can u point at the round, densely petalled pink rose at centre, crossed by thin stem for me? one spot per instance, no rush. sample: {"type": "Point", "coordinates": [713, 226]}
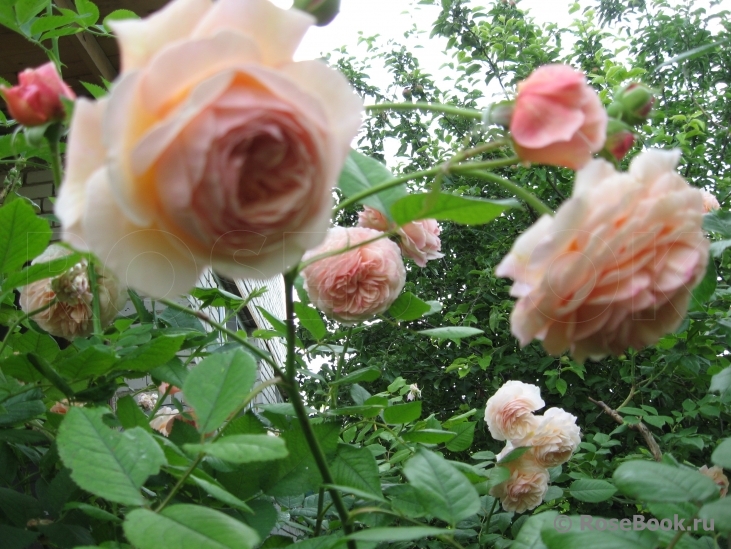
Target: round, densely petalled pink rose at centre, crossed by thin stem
{"type": "Point", "coordinates": [358, 284]}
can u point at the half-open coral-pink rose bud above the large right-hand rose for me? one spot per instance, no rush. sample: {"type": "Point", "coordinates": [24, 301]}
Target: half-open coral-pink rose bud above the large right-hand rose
{"type": "Point", "coordinates": [558, 118]}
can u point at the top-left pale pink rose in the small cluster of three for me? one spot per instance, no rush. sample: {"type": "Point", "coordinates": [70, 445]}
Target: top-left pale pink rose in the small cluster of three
{"type": "Point", "coordinates": [509, 412]}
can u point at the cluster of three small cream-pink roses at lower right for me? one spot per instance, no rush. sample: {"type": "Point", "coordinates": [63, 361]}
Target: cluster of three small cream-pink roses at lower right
{"type": "Point", "coordinates": [552, 438]}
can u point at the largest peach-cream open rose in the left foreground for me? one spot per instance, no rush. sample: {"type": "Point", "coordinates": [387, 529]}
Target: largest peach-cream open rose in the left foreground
{"type": "Point", "coordinates": [213, 147]}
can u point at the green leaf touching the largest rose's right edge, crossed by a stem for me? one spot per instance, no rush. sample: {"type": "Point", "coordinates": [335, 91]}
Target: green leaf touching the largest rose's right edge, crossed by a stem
{"type": "Point", "coordinates": [361, 173]}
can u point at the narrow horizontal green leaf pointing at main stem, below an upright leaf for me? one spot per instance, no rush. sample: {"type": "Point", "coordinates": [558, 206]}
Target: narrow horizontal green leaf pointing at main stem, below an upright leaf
{"type": "Point", "coordinates": [243, 448]}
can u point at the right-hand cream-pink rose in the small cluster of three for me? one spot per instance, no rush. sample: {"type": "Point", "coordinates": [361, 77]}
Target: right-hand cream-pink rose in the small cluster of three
{"type": "Point", "coordinates": [554, 439]}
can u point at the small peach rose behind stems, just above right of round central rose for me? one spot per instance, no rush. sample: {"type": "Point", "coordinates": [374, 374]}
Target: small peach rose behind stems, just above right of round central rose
{"type": "Point", "coordinates": [419, 240]}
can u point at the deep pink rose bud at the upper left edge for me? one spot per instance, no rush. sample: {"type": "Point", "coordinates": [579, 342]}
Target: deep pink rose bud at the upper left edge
{"type": "Point", "coordinates": [37, 98]}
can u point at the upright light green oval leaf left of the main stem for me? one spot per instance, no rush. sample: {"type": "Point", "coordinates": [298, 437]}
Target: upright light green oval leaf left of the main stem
{"type": "Point", "coordinates": [217, 386]}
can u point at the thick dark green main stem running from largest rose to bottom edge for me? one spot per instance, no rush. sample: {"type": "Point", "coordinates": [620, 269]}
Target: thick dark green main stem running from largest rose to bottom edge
{"type": "Point", "coordinates": [299, 408]}
